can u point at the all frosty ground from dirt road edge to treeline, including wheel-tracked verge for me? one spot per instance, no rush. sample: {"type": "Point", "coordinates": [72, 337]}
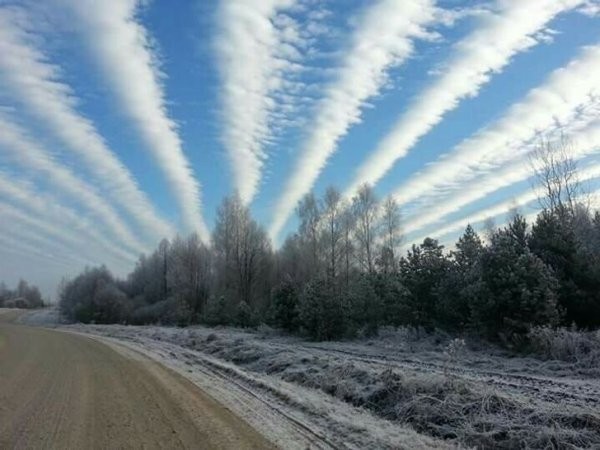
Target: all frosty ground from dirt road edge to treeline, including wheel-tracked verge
{"type": "Point", "coordinates": [403, 389]}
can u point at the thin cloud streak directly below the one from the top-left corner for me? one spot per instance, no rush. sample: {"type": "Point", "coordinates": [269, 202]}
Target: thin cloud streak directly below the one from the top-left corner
{"type": "Point", "coordinates": [22, 150]}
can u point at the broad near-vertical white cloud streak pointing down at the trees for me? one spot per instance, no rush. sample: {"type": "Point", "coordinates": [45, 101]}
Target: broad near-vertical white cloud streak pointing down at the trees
{"type": "Point", "coordinates": [254, 57]}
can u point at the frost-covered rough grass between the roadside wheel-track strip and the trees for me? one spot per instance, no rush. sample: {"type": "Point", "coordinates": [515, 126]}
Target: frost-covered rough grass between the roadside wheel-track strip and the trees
{"type": "Point", "coordinates": [465, 394]}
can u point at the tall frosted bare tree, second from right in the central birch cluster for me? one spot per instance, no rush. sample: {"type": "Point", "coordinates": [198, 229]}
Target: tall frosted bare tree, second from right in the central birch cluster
{"type": "Point", "coordinates": [365, 207]}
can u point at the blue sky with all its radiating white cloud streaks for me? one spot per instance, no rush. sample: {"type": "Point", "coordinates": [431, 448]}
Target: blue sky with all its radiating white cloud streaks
{"type": "Point", "coordinates": [126, 121]}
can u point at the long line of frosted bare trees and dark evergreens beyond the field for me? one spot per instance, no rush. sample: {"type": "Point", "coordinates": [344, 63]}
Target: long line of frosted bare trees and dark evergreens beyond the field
{"type": "Point", "coordinates": [340, 274]}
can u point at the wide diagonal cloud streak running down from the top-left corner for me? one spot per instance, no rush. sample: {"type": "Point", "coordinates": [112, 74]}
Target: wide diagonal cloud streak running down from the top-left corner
{"type": "Point", "coordinates": [27, 75]}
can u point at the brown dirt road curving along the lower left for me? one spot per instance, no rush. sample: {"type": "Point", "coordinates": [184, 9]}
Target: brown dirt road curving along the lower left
{"type": "Point", "coordinates": [60, 390]}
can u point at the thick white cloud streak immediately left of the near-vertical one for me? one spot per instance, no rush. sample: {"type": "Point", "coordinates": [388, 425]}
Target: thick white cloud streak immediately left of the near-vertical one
{"type": "Point", "coordinates": [122, 49]}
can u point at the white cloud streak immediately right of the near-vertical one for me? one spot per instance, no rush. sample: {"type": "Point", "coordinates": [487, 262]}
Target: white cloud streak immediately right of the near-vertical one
{"type": "Point", "coordinates": [384, 38]}
